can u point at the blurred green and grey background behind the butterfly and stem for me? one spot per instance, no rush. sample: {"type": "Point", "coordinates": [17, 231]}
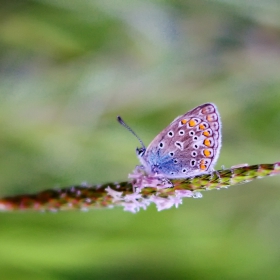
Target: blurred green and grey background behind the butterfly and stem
{"type": "Point", "coordinates": [68, 68]}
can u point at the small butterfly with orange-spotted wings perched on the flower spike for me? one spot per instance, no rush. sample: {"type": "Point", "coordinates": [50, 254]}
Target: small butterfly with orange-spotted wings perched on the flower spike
{"type": "Point", "coordinates": [188, 146]}
